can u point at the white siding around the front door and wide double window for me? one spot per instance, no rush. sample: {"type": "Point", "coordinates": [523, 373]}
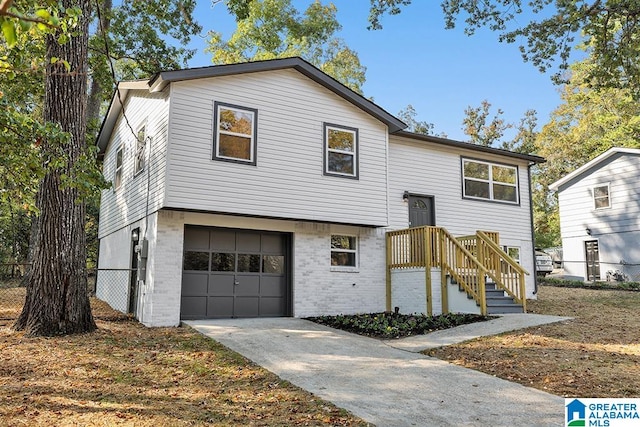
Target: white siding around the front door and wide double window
{"type": "Point", "coordinates": [434, 170]}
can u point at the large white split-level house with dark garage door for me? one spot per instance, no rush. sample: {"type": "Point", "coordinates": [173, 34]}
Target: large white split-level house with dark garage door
{"type": "Point", "coordinates": [266, 189]}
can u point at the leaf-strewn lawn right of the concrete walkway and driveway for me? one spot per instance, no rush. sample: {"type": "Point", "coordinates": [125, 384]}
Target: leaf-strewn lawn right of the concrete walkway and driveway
{"type": "Point", "coordinates": [595, 355]}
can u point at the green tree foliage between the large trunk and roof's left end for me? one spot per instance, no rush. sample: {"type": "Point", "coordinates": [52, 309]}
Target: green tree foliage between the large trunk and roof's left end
{"type": "Point", "coordinates": [137, 39]}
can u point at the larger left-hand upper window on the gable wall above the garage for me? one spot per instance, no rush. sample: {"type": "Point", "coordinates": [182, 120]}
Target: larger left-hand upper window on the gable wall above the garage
{"type": "Point", "coordinates": [235, 133]}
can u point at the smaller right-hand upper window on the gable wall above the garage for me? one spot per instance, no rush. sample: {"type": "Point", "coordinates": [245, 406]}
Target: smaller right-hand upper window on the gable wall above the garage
{"type": "Point", "coordinates": [340, 151]}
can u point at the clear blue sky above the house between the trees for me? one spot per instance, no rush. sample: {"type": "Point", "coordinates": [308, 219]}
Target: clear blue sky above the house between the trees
{"type": "Point", "coordinates": [414, 60]}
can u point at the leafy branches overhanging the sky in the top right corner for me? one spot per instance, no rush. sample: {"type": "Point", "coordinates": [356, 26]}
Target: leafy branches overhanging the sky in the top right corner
{"type": "Point", "coordinates": [608, 29]}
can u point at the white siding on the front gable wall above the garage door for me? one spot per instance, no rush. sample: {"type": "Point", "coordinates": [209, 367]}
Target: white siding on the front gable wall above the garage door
{"type": "Point", "coordinates": [288, 181]}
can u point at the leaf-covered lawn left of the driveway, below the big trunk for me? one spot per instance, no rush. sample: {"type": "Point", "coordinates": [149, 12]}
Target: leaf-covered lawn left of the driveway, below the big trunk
{"type": "Point", "coordinates": [126, 374]}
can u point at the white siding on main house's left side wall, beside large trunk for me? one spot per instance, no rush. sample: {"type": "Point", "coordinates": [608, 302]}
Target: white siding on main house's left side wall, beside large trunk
{"type": "Point", "coordinates": [129, 204]}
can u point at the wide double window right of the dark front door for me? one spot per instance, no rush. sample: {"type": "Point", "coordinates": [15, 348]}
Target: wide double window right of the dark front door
{"type": "Point", "coordinates": [489, 181]}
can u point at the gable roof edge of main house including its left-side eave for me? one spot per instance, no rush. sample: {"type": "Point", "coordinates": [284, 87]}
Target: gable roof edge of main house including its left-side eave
{"type": "Point", "coordinates": [160, 80]}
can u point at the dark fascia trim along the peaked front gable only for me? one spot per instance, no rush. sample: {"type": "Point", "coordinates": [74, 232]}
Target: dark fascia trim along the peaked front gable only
{"type": "Point", "coordinates": [160, 80]}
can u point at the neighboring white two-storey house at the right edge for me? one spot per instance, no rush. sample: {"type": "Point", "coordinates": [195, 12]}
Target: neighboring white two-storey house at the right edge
{"type": "Point", "coordinates": [600, 214]}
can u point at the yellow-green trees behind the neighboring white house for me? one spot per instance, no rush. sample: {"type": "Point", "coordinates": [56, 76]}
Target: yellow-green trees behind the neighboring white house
{"type": "Point", "coordinates": [586, 124]}
